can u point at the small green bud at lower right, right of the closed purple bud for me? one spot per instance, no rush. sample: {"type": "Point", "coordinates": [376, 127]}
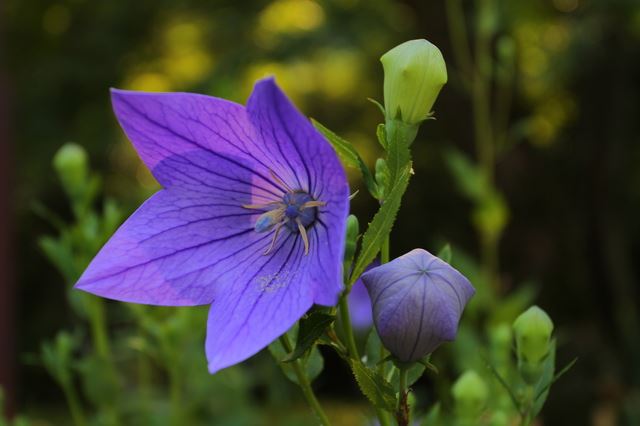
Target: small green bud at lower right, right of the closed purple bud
{"type": "Point", "coordinates": [532, 330]}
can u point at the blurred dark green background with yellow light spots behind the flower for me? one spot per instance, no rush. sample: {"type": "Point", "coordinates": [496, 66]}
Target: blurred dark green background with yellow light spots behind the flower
{"type": "Point", "coordinates": [542, 203]}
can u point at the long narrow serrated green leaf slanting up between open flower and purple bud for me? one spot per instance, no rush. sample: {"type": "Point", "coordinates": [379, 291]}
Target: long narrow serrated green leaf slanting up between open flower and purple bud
{"type": "Point", "coordinates": [381, 225]}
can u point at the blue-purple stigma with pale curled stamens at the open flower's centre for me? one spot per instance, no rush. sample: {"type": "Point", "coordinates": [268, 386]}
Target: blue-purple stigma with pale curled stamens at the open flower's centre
{"type": "Point", "coordinates": [297, 211]}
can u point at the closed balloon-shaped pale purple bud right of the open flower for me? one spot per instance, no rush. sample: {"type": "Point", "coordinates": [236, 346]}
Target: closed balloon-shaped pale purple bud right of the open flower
{"type": "Point", "coordinates": [417, 303]}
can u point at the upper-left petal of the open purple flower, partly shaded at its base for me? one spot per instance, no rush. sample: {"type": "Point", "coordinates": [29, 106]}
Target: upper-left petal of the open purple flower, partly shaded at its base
{"type": "Point", "coordinates": [174, 126]}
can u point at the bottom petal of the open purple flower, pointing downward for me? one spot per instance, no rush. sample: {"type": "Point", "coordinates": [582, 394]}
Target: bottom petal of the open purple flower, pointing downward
{"type": "Point", "coordinates": [250, 314]}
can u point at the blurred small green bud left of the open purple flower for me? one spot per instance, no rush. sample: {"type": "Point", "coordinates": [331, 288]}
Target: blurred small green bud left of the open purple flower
{"type": "Point", "coordinates": [71, 164]}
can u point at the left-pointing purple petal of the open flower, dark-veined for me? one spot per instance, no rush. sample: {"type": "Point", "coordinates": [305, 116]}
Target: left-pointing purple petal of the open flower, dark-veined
{"type": "Point", "coordinates": [174, 250]}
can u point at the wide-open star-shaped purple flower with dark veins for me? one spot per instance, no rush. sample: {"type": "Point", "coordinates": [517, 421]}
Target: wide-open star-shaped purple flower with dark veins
{"type": "Point", "coordinates": [251, 219]}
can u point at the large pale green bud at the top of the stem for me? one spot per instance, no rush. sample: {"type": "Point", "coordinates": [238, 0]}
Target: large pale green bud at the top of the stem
{"type": "Point", "coordinates": [414, 73]}
